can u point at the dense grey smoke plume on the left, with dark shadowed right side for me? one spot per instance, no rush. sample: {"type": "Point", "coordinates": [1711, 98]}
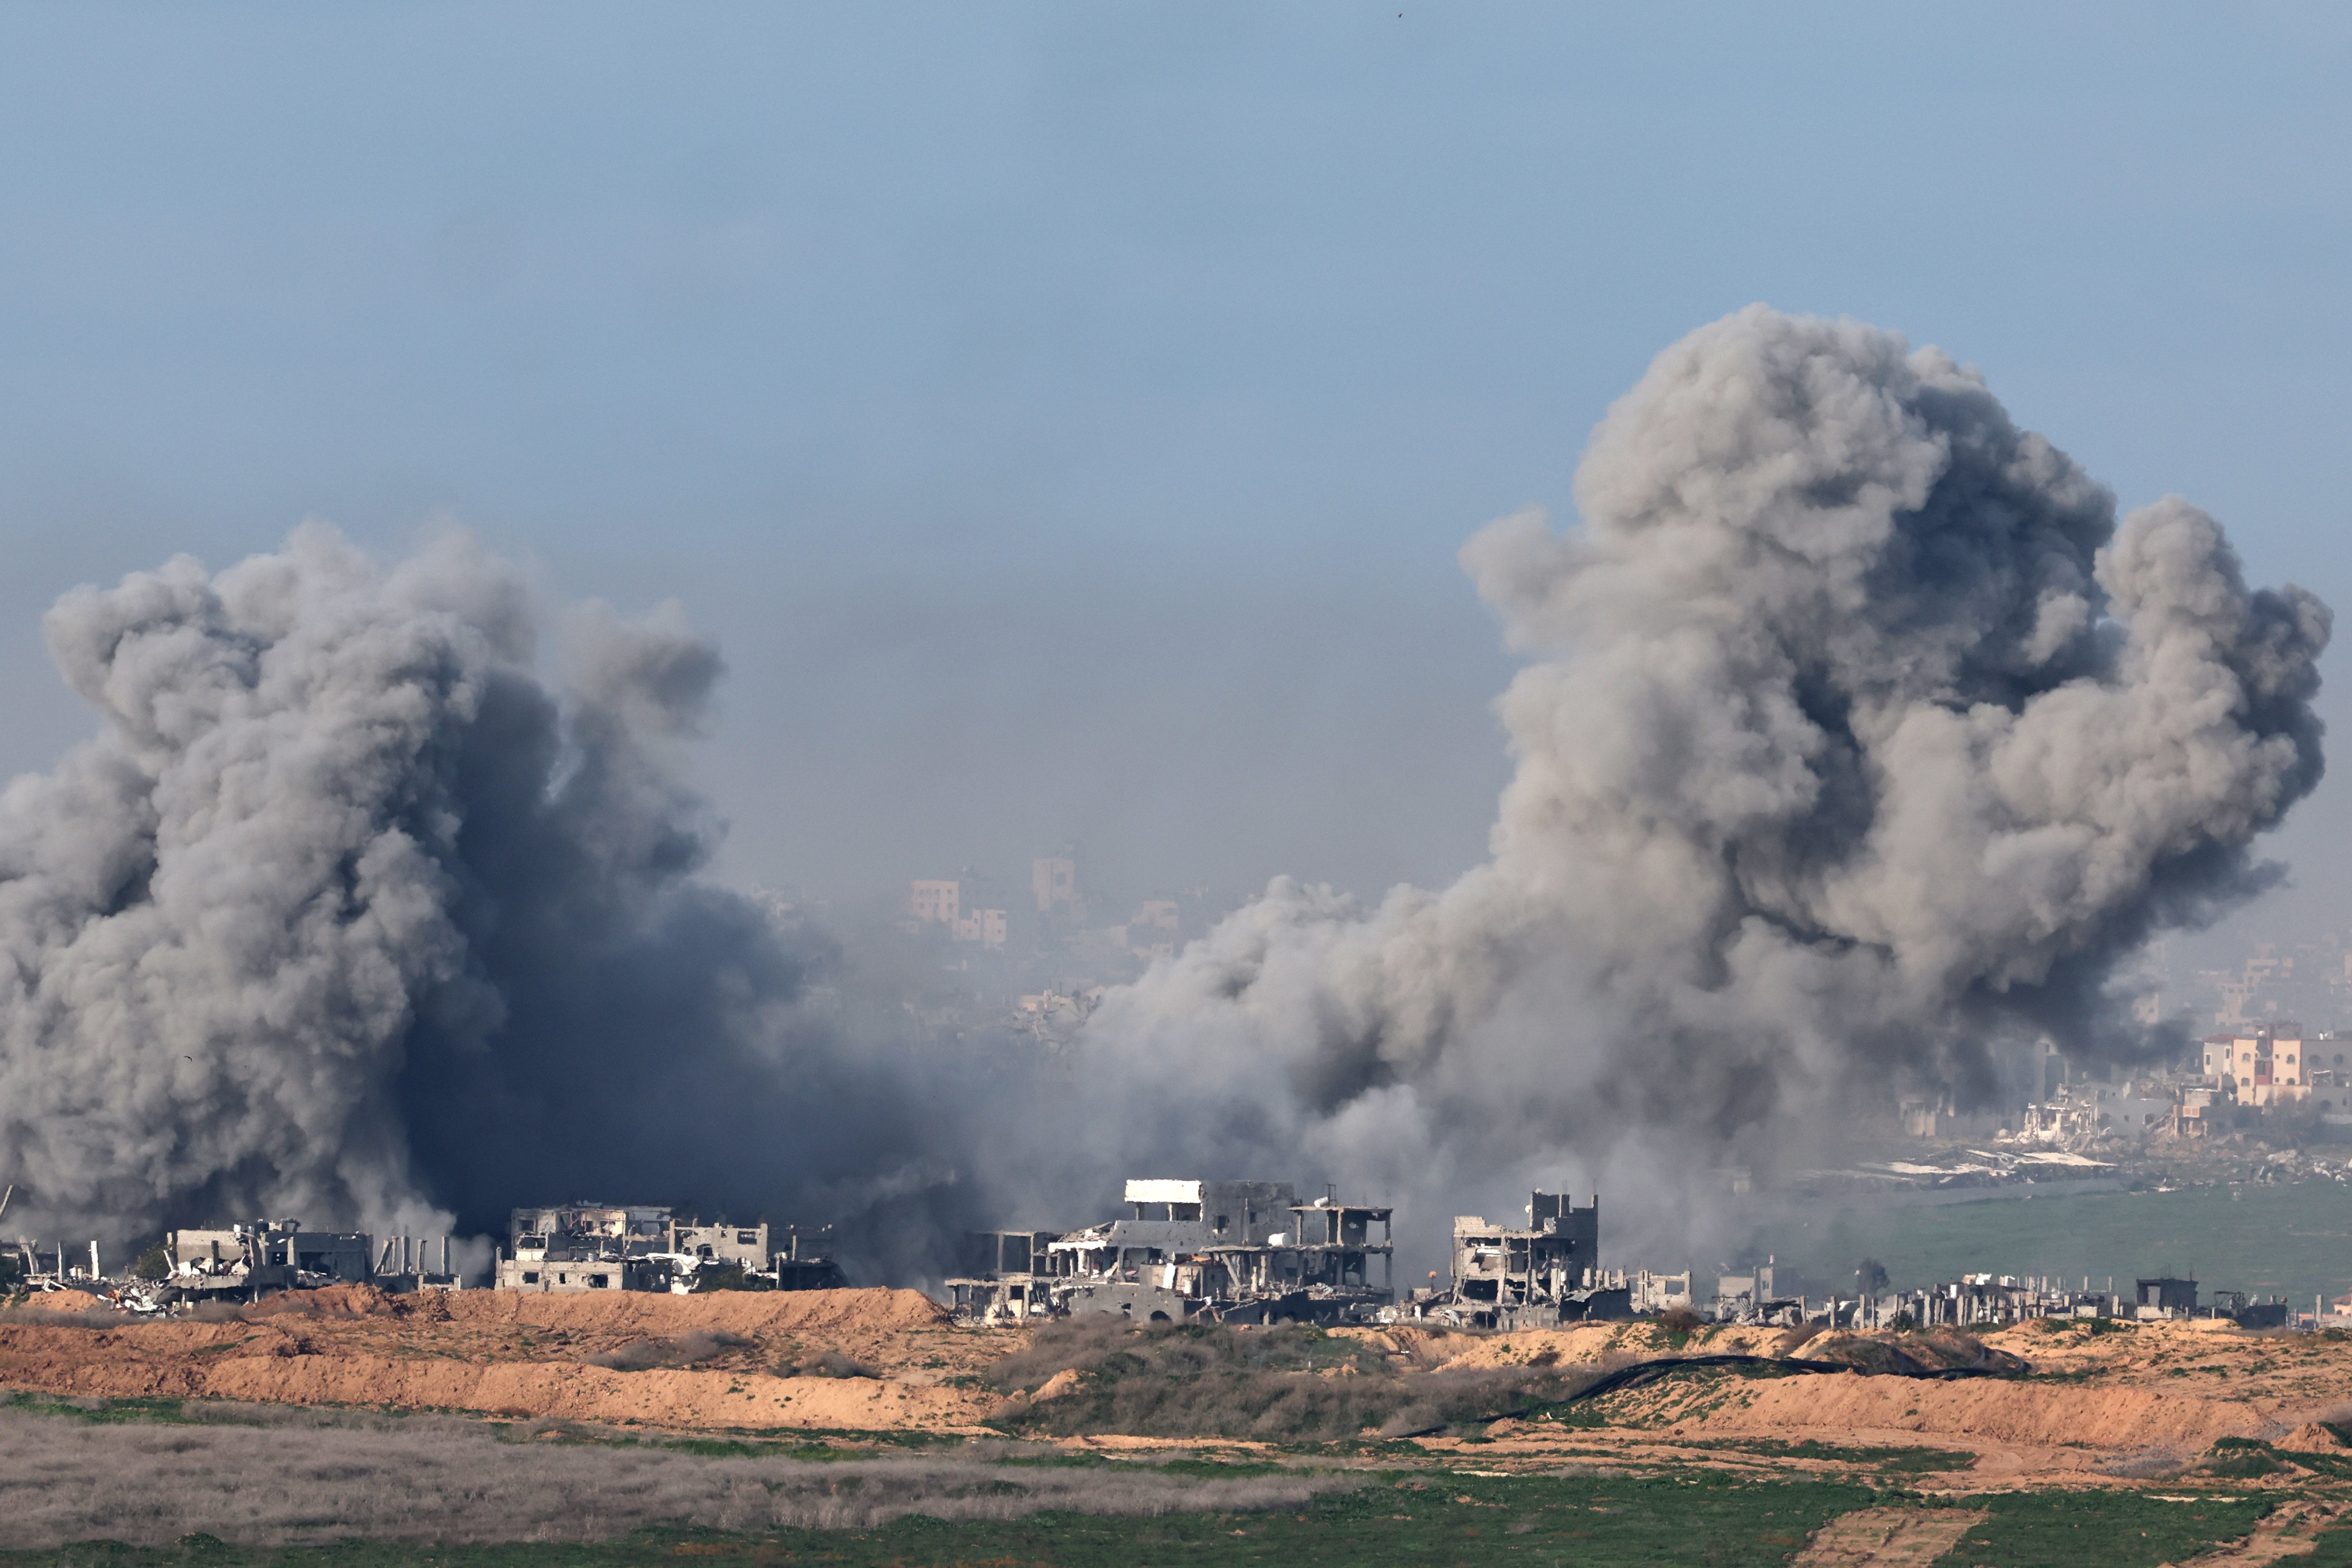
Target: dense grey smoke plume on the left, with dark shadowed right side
{"type": "Point", "coordinates": [349, 916]}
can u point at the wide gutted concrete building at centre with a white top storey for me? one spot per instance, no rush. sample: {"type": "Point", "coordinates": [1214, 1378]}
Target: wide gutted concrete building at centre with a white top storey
{"type": "Point", "coordinates": [1227, 1249]}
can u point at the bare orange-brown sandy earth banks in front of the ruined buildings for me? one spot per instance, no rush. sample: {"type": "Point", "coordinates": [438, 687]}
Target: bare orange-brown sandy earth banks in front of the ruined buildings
{"type": "Point", "coordinates": [2097, 1398]}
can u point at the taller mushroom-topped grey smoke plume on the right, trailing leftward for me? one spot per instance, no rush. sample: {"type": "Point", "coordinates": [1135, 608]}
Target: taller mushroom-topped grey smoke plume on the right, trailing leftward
{"type": "Point", "coordinates": [1857, 742]}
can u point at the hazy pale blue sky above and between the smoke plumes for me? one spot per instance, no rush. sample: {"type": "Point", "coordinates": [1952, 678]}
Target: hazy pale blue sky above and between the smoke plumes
{"type": "Point", "coordinates": [1067, 417]}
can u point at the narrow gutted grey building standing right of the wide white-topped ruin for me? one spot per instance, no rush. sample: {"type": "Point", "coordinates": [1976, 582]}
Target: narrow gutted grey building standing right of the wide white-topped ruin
{"type": "Point", "coordinates": [1532, 1278]}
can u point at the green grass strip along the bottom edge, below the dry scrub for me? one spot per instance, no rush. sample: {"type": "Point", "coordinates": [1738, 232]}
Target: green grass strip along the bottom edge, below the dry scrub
{"type": "Point", "coordinates": [1410, 1517]}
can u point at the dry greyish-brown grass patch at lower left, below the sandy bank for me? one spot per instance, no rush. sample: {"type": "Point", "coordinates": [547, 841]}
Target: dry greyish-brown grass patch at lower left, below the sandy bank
{"type": "Point", "coordinates": [272, 1477]}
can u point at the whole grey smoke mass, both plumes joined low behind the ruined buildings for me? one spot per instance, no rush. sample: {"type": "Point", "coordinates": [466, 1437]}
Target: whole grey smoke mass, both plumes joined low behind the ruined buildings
{"type": "Point", "coordinates": [1857, 742]}
